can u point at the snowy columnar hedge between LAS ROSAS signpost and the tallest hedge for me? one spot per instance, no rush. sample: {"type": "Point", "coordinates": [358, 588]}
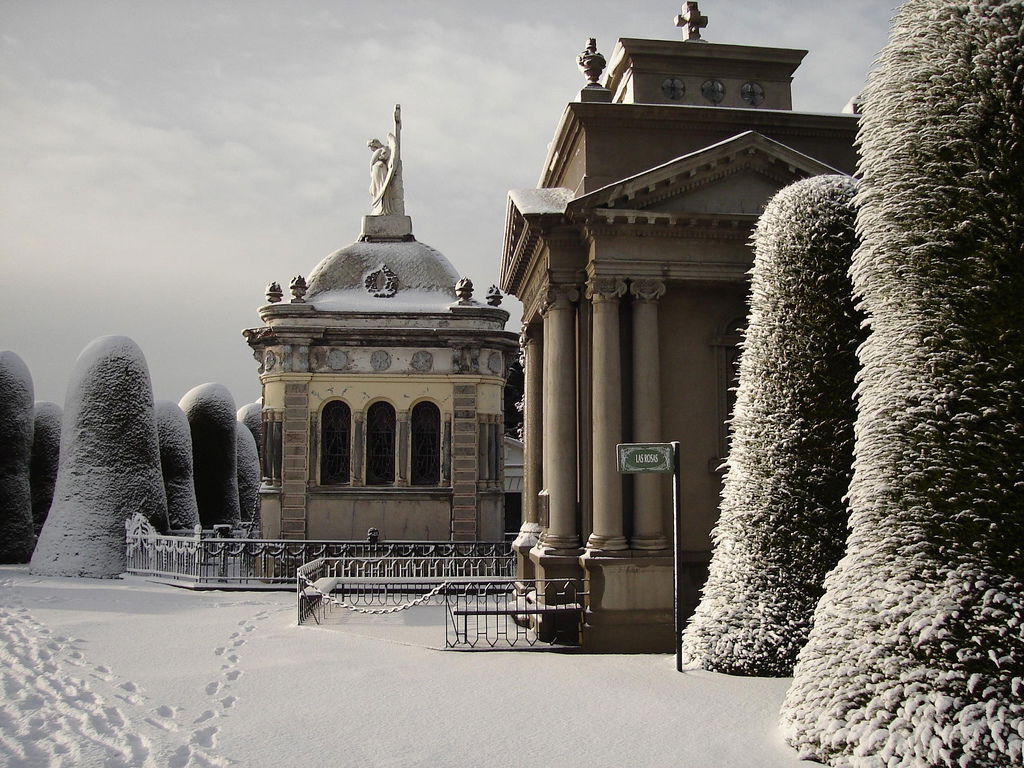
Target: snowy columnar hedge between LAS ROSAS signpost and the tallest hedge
{"type": "Point", "coordinates": [783, 524]}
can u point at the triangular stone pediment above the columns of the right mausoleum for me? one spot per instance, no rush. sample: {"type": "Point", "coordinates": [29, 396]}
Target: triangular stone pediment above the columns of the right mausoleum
{"type": "Point", "coordinates": [737, 177]}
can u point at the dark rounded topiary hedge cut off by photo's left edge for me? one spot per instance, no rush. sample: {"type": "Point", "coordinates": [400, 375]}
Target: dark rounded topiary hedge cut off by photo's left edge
{"type": "Point", "coordinates": [17, 395]}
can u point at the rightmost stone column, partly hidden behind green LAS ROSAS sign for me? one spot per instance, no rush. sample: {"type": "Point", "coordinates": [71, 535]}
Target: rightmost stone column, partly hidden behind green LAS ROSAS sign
{"type": "Point", "coordinates": [649, 493]}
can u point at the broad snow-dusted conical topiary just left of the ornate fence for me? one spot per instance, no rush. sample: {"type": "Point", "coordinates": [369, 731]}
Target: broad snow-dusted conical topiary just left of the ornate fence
{"type": "Point", "coordinates": [110, 464]}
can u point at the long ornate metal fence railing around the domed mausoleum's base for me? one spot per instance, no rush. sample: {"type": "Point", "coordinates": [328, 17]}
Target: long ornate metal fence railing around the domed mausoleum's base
{"type": "Point", "coordinates": [250, 564]}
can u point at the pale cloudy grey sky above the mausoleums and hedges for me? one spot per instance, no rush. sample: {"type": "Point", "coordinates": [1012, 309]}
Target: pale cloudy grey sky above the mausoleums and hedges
{"type": "Point", "coordinates": [162, 162]}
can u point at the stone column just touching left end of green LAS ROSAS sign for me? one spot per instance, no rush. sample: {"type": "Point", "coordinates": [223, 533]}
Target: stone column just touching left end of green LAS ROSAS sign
{"type": "Point", "coordinates": [608, 418]}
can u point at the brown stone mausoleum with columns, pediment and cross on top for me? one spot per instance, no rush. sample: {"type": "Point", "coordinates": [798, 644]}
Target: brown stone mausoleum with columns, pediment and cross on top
{"type": "Point", "coordinates": [631, 259]}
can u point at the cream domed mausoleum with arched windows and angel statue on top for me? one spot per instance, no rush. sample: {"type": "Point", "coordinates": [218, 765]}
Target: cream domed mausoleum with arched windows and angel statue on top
{"type": "Point", "coordinates": [382, 383]}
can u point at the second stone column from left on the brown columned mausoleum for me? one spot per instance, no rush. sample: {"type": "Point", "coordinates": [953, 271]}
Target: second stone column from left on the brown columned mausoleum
{"type": "Point", "coordinates": [560, 419]}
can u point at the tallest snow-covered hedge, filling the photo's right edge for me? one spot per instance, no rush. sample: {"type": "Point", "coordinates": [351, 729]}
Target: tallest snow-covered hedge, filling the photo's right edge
{"type": "Point", "coordinates": [917, 656]}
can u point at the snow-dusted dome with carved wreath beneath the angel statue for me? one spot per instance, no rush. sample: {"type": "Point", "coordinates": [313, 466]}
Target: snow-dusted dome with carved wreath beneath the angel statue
{"type": "Point", "coordinates": [382, 277]}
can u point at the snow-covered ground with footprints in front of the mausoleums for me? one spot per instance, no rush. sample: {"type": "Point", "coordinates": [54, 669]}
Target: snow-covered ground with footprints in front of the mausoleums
{"type": "Point", "coordinates": [131, 673]}
